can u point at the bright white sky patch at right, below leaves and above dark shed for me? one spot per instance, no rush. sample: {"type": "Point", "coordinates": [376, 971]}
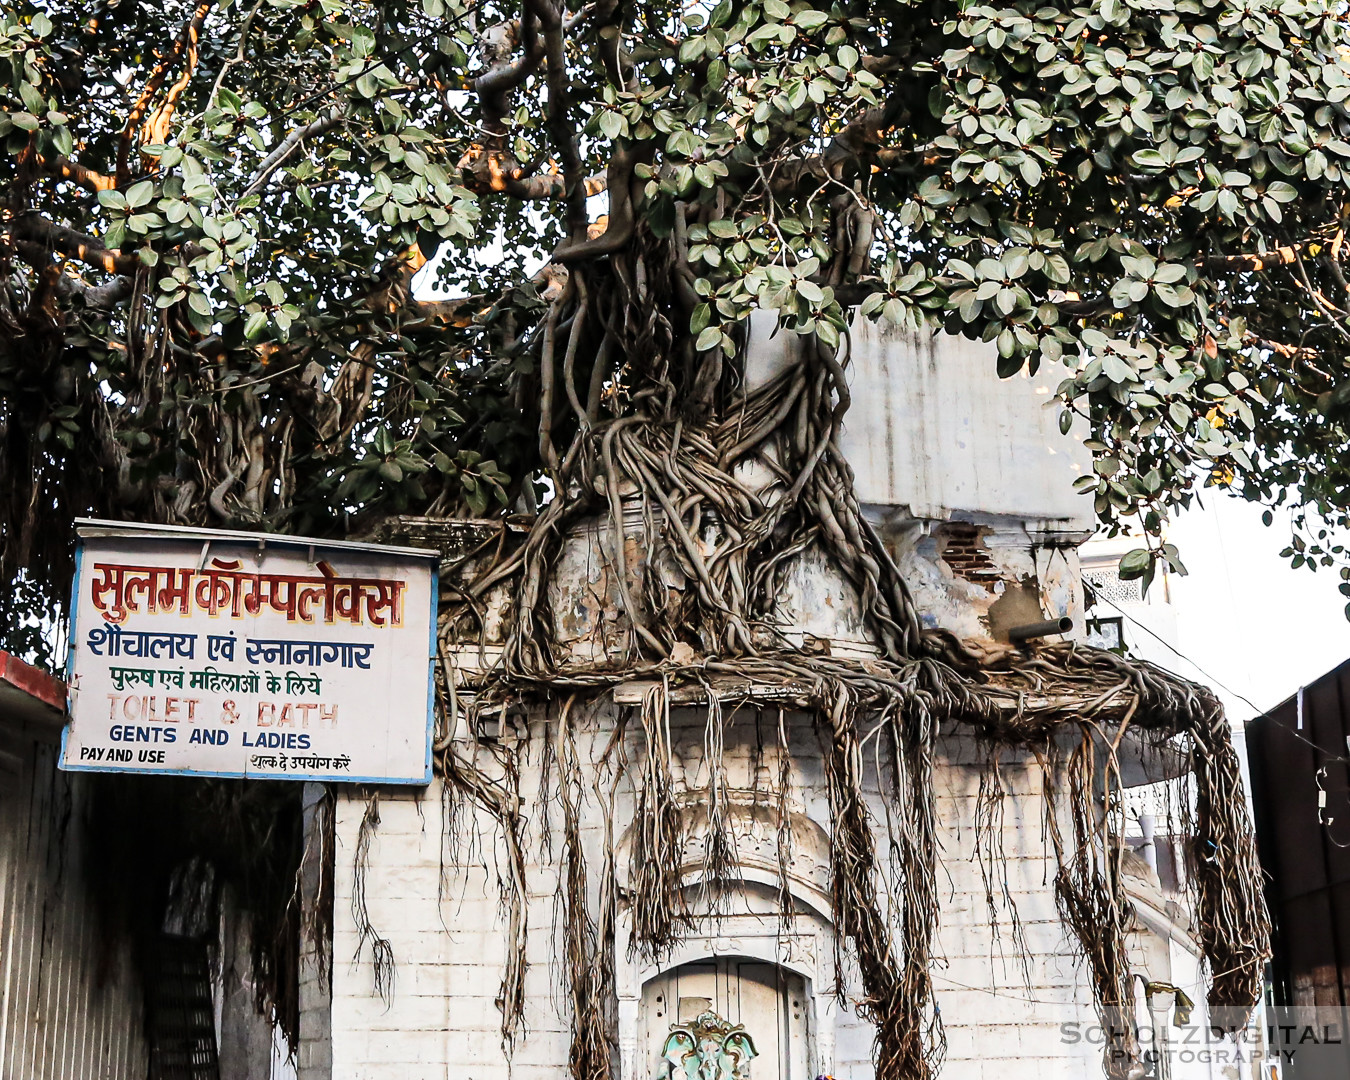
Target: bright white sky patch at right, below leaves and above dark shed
{"type": "Point", "coordinates": [1253, 626]}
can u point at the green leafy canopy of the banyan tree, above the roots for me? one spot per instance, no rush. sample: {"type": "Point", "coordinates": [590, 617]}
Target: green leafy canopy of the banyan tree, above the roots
{"type": "Point", "coordinates": [213, 214]}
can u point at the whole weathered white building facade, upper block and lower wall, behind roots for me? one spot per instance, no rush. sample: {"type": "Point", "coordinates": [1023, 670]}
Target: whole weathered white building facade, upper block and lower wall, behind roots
{"type": "Point", "coordinates": [969, 481]}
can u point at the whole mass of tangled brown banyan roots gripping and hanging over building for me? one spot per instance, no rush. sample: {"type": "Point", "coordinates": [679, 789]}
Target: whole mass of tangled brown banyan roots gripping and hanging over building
{"type": "Point", "coordinates": [704, 491]}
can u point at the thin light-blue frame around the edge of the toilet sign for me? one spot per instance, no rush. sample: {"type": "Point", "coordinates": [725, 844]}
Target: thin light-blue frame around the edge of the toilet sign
{"type": "Point", "coordinates": [97, 529]}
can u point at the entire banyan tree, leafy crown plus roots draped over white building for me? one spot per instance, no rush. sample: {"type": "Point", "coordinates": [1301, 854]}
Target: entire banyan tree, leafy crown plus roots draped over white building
{"type": "Point", "coordinates": [318, 267]}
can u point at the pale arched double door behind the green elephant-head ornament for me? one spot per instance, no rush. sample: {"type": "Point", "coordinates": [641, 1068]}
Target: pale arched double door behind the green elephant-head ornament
{"type": "Point", "coordinates": [767, 1000]}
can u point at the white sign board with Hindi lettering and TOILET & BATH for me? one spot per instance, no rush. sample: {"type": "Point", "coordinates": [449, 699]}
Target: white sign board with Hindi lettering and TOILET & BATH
{"type": "Point", "coordinates": [223, 654]}
